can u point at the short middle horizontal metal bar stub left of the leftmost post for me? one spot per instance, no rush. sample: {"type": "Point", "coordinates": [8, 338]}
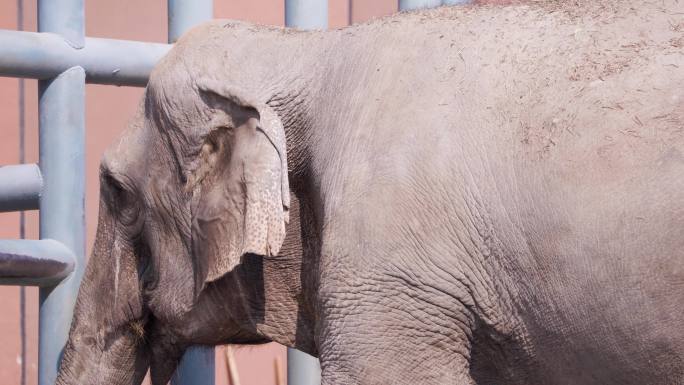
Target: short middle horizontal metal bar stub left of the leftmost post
{"type": "Point", "coordinates": [20, 187]}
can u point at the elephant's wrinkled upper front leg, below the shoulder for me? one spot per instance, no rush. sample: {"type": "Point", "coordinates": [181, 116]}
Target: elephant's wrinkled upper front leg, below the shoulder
{"type": "Point", "coordinates": [380, 334]}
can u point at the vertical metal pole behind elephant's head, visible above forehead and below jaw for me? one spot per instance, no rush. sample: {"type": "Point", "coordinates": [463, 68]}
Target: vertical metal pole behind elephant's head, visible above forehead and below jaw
{"type": "Point", "coordinates": [197, 364]}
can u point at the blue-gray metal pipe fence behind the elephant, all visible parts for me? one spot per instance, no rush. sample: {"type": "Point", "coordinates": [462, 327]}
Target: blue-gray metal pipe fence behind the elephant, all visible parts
{"type": "Point", "coordinates": [63, 59]}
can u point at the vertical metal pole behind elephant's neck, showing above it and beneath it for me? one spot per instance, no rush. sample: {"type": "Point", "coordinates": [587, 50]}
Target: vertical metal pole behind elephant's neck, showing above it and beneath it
{"type": "Point", "coordinates": [303, 369]}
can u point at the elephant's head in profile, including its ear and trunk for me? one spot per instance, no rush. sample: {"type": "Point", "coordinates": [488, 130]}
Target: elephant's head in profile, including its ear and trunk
{"type": "Point", "coordinates": [197, 181]}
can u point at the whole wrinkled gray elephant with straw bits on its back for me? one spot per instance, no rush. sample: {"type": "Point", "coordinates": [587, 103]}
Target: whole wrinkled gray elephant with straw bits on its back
{"type": "Point", "coordinates": [478, 196]}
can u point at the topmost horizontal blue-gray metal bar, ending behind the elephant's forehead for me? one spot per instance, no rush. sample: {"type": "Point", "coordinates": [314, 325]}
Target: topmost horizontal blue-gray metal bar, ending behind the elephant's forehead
{"type": "Point", "coordinates": [105, 61]}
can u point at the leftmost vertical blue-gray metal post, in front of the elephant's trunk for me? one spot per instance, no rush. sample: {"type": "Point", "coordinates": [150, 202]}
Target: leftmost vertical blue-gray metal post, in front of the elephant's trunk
{"type": "Point", "coordinates": [62, 148]}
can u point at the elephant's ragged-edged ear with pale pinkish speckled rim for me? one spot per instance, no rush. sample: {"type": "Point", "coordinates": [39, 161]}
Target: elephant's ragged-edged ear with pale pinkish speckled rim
{"type": "Point", "coordinates": [239, 183]}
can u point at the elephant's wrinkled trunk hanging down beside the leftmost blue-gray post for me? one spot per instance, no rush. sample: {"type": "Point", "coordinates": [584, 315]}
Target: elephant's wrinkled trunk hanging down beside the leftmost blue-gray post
{"type": "Point", "coordinates": [107, 338]}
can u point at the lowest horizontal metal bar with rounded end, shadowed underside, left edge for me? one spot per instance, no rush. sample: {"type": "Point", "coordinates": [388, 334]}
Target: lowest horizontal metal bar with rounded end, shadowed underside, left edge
{"type": "Point", "coordinates": [34, 263]}
